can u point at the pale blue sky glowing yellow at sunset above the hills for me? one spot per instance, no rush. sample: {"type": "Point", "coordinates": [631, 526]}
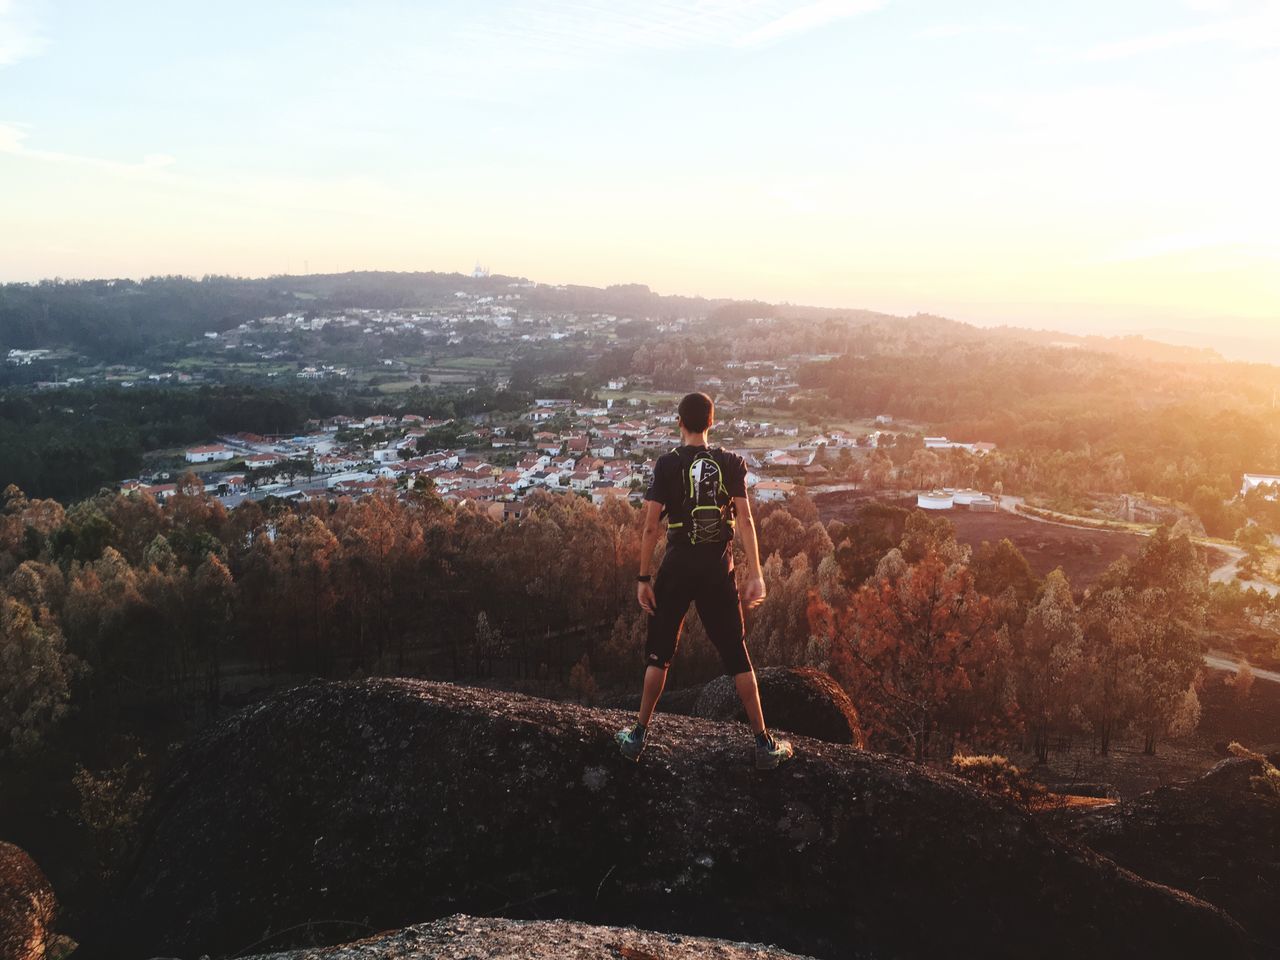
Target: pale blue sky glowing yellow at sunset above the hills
{"type": "Point", "coordinates": [1091, 167]}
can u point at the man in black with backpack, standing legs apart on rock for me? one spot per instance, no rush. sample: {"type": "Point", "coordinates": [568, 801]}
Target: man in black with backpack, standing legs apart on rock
{"type": "Point", "coordinates": [702, 493]}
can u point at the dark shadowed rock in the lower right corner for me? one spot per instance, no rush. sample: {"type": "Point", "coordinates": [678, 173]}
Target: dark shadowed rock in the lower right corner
{"type": "Point", "coordinates": [1215, 838]}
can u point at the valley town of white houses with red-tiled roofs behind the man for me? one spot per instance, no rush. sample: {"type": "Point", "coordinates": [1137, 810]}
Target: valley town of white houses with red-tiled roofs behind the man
{"type": "Point", "coordinates": [566, 449]}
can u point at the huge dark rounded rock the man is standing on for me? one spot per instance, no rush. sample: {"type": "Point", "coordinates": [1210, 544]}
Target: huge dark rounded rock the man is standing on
{"type": "Point", "coordinates": [395, 802]}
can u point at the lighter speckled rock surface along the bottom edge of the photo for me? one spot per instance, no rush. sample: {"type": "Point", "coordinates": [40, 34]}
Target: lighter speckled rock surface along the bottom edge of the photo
{"type": "Point", "coordinates": [464, 938]}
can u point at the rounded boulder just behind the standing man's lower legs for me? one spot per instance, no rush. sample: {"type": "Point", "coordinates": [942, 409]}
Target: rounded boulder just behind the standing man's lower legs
{"type": "Point", "coordinates": [799, 701]}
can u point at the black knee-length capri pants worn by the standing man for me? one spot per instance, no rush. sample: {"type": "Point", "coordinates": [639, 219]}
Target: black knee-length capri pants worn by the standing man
{"type": "Point", "coordinates": [702, 575]}
